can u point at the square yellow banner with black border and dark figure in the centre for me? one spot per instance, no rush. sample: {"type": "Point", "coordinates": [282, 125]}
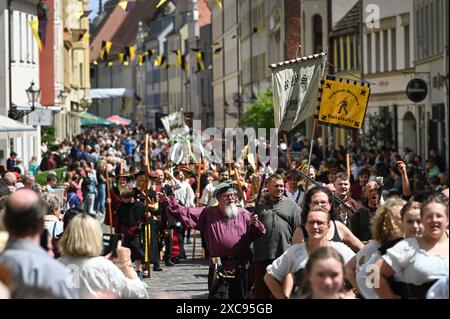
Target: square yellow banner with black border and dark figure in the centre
{"type": "Point", "coordinates": [343, 104]}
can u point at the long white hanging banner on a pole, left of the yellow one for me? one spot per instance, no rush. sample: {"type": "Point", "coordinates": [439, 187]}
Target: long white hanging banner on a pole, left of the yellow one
{"type": "Point", "coordinates": [295, 86]}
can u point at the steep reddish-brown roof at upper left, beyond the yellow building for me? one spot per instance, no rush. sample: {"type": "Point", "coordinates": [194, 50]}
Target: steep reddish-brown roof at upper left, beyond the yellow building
{"type": "Point", "coordinates": [120, 27]}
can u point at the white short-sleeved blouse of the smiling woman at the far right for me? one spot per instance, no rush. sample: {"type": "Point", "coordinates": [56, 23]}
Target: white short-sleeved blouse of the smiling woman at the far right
{"type": "Point", "coordinates": [414, 264]}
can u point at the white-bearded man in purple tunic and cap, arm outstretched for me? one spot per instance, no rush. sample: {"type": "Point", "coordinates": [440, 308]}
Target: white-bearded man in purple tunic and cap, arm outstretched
{"type": "Point", "coordinates": [228, 231]}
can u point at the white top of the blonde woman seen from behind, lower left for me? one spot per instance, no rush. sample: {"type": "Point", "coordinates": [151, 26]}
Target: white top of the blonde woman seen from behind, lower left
{"type": "Point", "coordinates": [95, 274]}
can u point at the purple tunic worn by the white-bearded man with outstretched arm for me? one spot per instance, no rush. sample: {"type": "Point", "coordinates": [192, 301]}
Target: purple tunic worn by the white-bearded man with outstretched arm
{"type": "Point", "coordinates": [224, 237]}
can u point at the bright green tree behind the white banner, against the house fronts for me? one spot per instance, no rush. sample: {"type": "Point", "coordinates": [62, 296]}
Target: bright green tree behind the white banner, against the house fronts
{"type": "Point", "coordinates": [260, 113]}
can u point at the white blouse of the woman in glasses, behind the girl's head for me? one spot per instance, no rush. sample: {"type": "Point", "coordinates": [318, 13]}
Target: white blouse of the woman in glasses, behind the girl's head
{"type": "Point", "coordinates": [296, 257]}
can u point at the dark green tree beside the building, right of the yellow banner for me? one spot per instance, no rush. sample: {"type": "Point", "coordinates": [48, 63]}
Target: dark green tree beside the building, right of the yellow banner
{"type": "Point", "coordinates": [379, 128]}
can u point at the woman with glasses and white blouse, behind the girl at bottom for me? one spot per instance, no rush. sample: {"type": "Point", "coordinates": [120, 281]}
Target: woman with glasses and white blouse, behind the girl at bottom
{"type": "Point", "coordinates": [294, 259]}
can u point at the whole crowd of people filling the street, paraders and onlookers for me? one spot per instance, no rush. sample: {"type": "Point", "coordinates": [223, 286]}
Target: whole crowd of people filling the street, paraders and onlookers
{"type": "Point", "coordinates": [375, 229]}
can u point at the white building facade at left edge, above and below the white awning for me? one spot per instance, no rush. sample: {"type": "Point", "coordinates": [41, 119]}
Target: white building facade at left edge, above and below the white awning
{"type": "Point", "coordinates": [19, 66]}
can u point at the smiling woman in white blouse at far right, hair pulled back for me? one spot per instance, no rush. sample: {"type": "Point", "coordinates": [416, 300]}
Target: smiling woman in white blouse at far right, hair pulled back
{"type": "Point", "coordinates": [419, 261]}
